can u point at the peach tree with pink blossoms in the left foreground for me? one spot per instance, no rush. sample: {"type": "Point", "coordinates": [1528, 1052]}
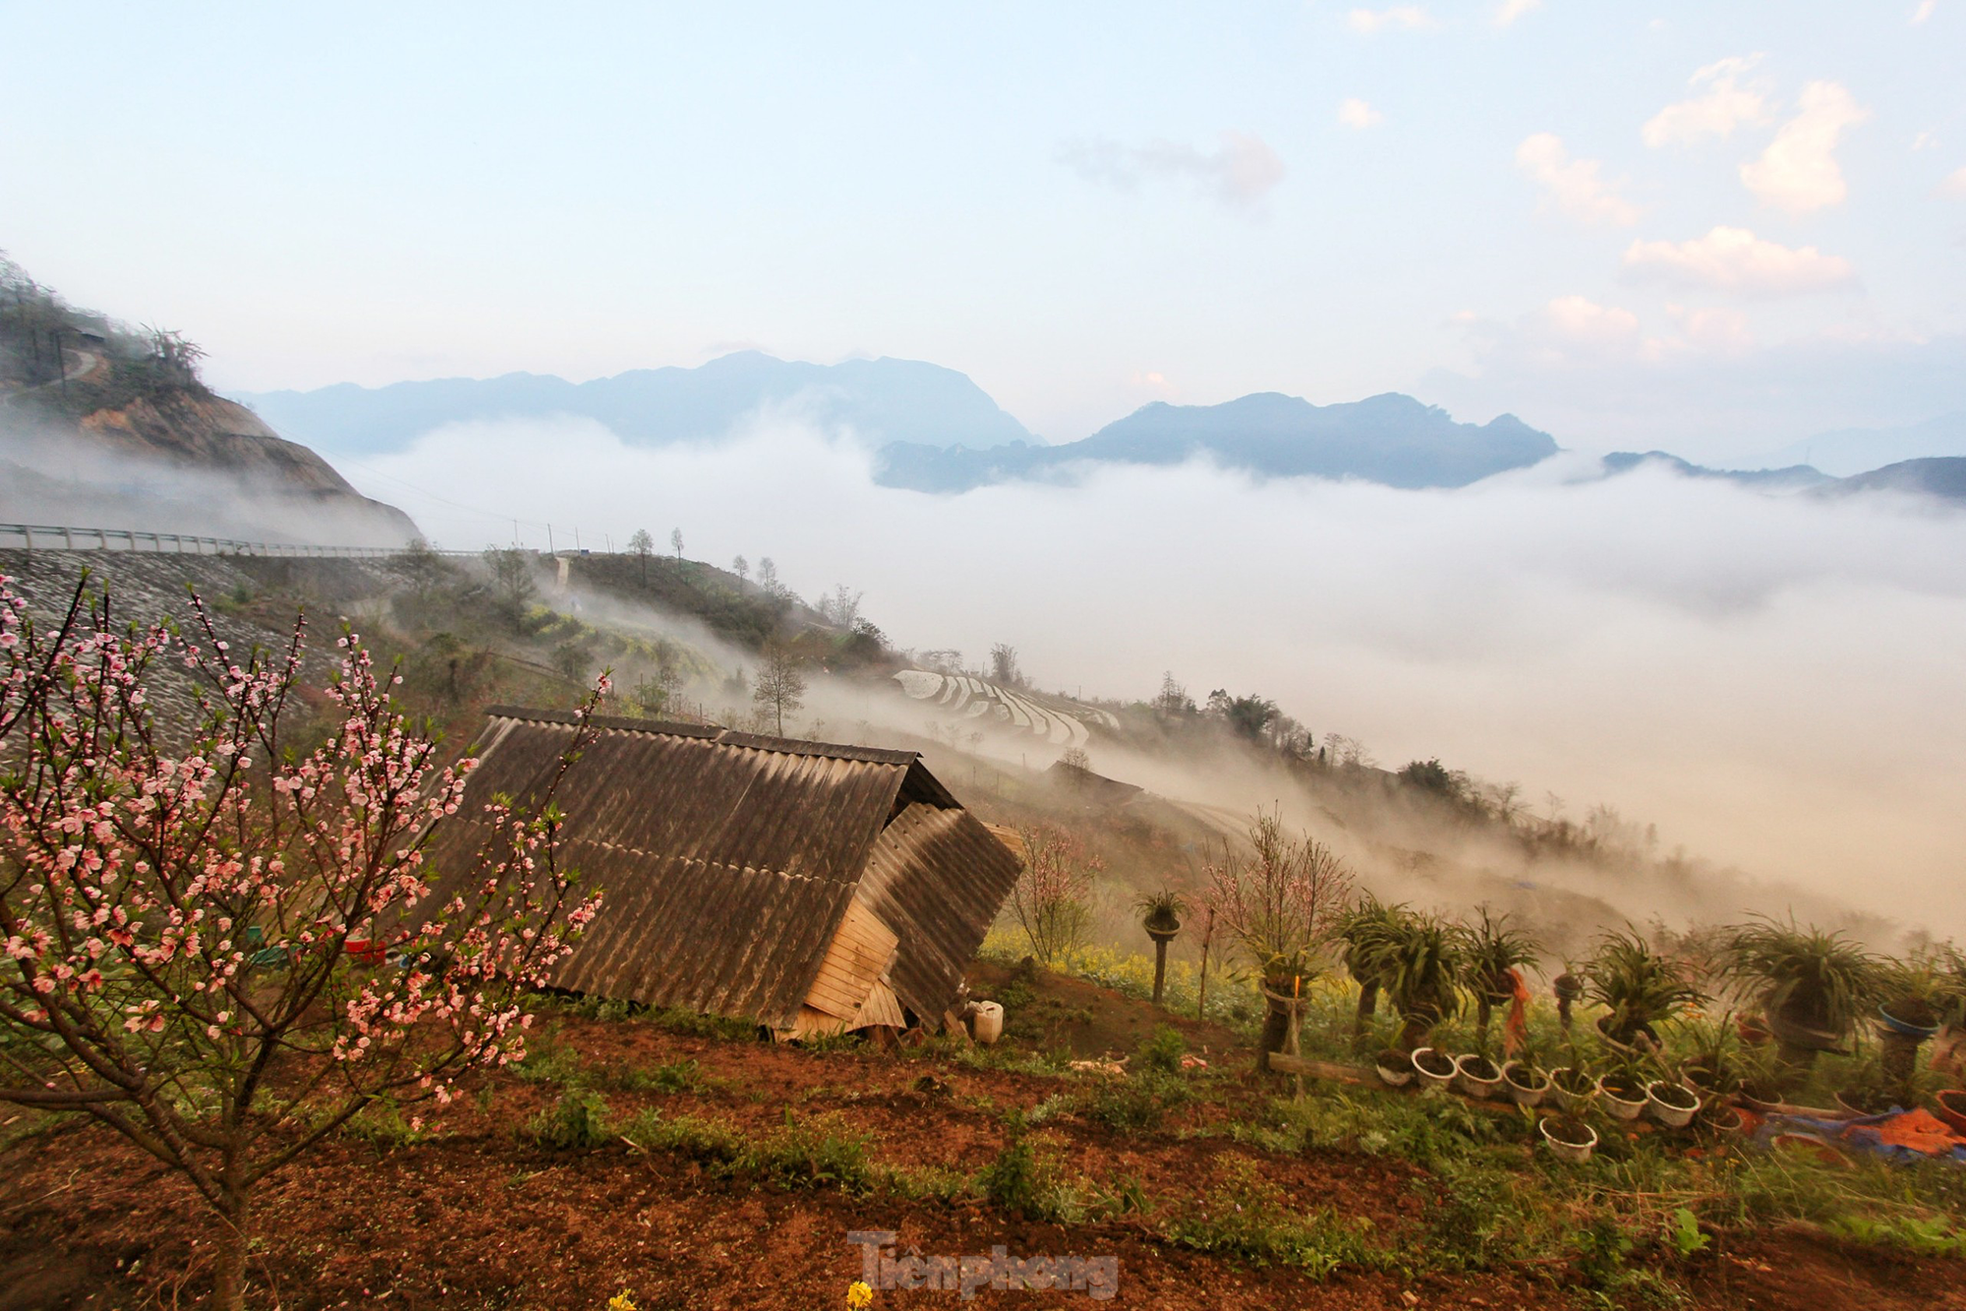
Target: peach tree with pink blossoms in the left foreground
{"type": "Point", "coordinates": [223, 946]}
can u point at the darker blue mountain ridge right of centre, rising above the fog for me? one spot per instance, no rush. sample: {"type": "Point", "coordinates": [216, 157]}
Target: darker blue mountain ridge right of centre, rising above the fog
{"type": "Point", "coordinates": [1389, 439]}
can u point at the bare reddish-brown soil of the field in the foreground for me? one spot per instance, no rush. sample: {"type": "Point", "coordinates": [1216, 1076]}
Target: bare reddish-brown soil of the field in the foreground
{"type": "Point", "coordinates": [479, 1218]}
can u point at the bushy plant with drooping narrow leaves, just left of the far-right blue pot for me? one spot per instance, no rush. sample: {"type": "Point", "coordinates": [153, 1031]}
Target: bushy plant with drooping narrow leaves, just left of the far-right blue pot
{"type": "Point", "coordinates": [1816, 984]}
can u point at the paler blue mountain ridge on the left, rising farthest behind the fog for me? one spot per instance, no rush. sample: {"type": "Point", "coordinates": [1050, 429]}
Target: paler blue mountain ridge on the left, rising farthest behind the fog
{"type": "Point", "coordinates": [878, 400]}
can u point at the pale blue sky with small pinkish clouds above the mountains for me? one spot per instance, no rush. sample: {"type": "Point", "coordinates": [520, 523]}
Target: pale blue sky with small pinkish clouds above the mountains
{"type": "Point", "coordinates": [1082, 207]}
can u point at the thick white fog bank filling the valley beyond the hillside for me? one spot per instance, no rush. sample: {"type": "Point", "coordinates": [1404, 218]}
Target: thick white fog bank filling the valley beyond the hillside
{"type": "Point", "coordinates": [1772, 681]}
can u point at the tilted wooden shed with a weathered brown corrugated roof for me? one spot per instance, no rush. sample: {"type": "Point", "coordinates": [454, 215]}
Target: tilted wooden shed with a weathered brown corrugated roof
{"type": "Point", "coordinates": [811, 887]}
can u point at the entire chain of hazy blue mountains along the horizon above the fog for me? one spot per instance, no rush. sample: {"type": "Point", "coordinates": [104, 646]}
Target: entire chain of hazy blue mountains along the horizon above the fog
{"type": "Point", "coordinates": [937, 431]}
